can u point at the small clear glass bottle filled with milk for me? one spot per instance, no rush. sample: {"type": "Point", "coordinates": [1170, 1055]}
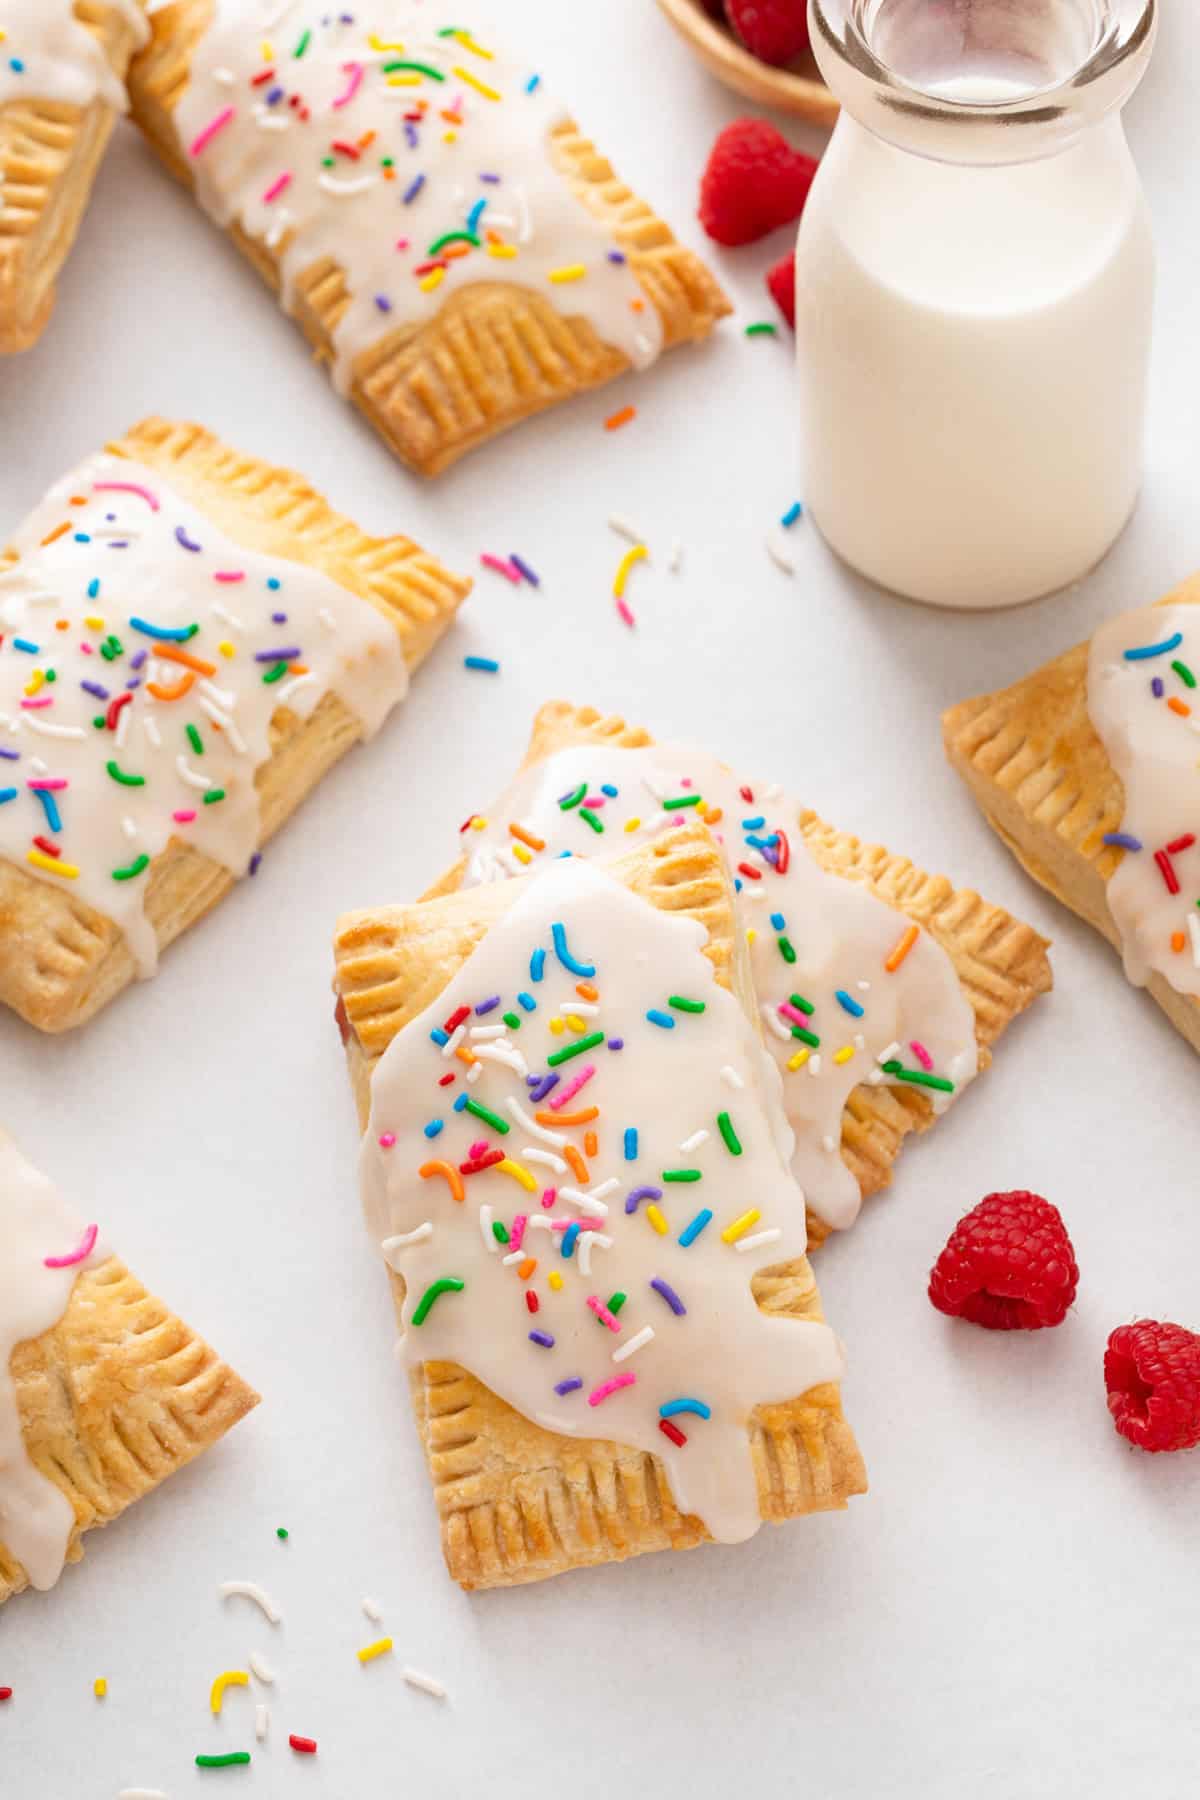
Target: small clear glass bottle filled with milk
{"type": "Point", "coordinates": [974, 292]}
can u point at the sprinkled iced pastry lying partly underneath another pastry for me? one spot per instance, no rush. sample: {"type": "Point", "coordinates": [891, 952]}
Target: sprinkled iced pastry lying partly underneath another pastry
{"type": "Point", "coordinates": [879, 1000]}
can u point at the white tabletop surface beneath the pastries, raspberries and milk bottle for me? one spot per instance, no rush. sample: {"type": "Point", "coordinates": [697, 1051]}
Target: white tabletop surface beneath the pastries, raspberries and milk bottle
{"type": "Point", "coordinates": [1014, 1606]}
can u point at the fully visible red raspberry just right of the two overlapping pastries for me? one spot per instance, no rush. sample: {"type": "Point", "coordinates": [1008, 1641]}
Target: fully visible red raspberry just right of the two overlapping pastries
{"type": "Point", "coordinates": [1008, 1266]}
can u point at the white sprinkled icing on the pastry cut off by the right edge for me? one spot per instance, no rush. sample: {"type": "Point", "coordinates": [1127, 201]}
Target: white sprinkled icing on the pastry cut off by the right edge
{"type": "Point", "coordinates": [1149, 719]}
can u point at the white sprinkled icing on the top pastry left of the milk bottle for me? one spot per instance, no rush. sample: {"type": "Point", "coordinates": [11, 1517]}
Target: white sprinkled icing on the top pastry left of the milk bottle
{"type": "Point", "coordinates": [273, 166]}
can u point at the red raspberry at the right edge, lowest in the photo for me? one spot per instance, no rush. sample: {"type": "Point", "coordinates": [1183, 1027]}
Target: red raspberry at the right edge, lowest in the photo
{"type": "Point", "coordinates": [1152, 1374]}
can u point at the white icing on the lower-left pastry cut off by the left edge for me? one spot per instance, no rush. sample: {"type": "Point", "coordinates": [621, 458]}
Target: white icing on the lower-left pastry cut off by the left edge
{"type": "Point", "coordinates": [35, 1223]}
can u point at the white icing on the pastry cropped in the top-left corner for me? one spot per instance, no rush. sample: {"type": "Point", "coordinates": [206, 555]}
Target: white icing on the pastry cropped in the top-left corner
{"type": "Point", "coordinates": [49, 57]}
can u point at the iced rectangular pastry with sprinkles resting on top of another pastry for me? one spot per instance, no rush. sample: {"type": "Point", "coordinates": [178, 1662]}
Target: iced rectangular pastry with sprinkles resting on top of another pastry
{"type": "Point", "coordinates": [600, 1232]}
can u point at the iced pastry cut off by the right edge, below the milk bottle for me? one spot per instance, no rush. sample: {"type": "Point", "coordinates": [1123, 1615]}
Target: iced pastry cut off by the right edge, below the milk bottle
{"type": "Point", "coordinates": [1088, 769]}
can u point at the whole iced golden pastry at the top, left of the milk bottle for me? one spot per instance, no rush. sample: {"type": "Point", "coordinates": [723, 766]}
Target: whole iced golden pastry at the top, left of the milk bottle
{"type": "Point", "coordinates": [440, 229]}
